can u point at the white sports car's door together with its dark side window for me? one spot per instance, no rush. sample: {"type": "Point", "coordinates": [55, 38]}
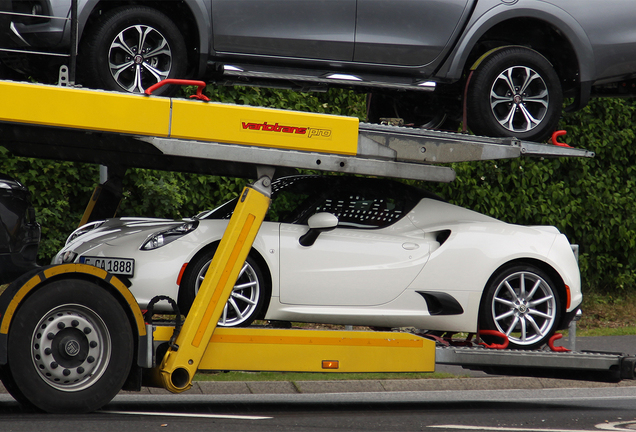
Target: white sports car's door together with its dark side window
{"type": "Point", "coordinates": [369, 259]}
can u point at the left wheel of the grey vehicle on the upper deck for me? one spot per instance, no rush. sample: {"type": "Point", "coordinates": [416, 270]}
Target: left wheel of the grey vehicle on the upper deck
{"type": "Point", "coordinates": [116, 40]}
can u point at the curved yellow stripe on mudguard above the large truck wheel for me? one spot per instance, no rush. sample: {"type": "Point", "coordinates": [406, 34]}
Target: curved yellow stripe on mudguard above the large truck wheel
{"type": "Point", "coordinates": [69, 269]}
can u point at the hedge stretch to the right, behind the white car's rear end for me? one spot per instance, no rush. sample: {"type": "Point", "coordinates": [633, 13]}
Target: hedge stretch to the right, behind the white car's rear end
{"type": "Point", "coordinates": [592, 201]}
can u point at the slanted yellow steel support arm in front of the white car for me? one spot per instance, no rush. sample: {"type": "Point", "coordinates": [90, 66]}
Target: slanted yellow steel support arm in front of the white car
{"type": "Point", "coordinates": [179, 366]}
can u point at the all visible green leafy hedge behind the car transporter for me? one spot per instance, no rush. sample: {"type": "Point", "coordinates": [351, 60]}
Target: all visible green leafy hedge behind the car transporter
{"type": "Point", "coordinates": [590, 200]}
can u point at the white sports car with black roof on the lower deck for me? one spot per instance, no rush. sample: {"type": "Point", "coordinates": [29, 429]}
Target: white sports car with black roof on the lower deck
{"type": "Point", "coordinates": [396, 256]}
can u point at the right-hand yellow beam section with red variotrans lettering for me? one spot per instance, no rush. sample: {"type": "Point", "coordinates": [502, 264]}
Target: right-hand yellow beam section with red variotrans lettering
{"type": "Point", "coordinates": [263, 127]}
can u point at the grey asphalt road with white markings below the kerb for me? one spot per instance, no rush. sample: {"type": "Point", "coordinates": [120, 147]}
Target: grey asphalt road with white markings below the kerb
{"type": "Point", "coordinates": [542, 410]}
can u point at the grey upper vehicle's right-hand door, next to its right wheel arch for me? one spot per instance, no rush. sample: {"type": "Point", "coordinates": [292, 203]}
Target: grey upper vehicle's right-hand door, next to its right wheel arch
{"type": "Point", "coordinates": [407, 32]}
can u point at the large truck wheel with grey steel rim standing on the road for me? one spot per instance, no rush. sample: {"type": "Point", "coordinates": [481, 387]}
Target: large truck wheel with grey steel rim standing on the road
{"type": "Point", "coordinates": [70, 348]}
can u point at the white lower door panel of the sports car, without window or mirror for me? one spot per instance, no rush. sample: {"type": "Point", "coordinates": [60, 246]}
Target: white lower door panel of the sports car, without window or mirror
{"type": "Point", "coordinates": [347, 267]}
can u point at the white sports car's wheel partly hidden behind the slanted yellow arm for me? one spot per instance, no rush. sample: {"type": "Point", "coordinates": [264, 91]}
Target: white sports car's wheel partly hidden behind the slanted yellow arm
{"type": "Point", "coordinates": [249, 299]}
